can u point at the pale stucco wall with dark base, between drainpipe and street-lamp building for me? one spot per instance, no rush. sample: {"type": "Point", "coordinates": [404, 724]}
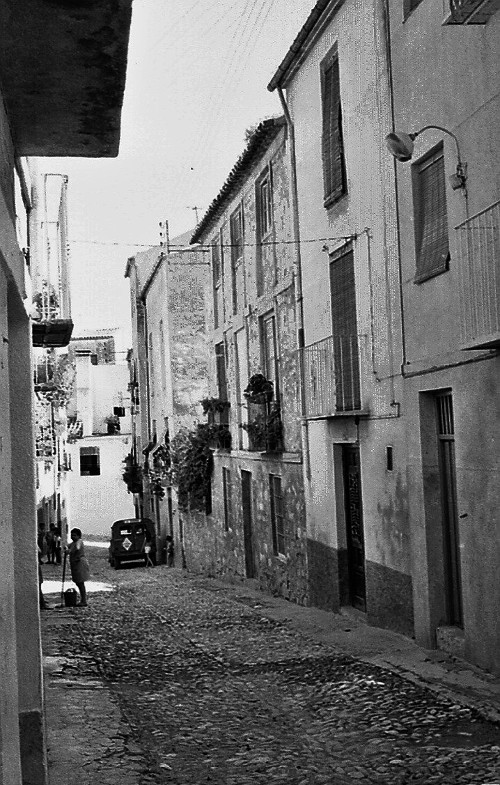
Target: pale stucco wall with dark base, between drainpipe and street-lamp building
{"type": "Point", "coordinates": [367, 216]}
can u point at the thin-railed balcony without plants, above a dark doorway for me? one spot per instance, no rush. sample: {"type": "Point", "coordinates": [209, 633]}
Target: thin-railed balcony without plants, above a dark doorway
{"type": "Point", "coordinates": [331, 376]}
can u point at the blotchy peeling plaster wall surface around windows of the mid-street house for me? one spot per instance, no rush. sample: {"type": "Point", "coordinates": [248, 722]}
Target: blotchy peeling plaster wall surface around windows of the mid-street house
{"type": "Point", "coordinates": [267, 284]}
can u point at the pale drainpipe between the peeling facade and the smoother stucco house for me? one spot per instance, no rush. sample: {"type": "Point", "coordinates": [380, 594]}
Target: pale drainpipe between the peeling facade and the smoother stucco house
{"type": "Point", "coordinates": [299, 304]}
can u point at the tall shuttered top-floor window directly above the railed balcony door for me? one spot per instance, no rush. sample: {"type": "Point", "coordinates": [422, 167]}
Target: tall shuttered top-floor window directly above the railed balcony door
{"type": "Point", "coordinates": [334, 172]}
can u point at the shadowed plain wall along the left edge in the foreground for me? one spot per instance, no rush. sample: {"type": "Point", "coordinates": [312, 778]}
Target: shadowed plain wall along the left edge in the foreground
{"type": "Point", "coordinates": [20, 646]}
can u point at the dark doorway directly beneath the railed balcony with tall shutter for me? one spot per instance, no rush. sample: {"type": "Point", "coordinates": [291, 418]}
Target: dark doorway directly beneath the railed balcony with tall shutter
{"type": "Point", "coordinates": [354, 526]}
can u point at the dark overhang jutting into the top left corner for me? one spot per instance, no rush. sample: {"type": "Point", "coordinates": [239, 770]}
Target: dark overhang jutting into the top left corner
{"type": "Point", "coordinates": [63, 66]}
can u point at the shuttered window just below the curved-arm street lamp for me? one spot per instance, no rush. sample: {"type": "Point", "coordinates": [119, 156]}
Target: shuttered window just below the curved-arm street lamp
{"type": "Point", "coordinates": [431, 218]}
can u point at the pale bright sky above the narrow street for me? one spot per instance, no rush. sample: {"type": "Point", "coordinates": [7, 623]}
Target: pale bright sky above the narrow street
{"type": "Point", "coordinates": [197, 78]}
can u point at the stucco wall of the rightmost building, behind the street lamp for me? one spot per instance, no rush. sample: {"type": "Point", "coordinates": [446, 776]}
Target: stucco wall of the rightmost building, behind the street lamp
{"type": "Point", "coordinates": [448, 76]}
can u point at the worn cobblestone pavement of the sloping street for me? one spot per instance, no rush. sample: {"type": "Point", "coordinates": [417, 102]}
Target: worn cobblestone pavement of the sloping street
{"type": "Point", "coordinates": [203, 687]}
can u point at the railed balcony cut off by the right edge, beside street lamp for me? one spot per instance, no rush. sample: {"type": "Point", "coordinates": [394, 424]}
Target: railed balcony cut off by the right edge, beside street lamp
{"type": "Point", "coordinates": [479, 260]}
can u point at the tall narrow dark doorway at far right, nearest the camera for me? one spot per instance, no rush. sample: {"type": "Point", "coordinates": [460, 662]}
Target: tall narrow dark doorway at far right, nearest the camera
{"type": "Point", "coordinates": [451, 539]}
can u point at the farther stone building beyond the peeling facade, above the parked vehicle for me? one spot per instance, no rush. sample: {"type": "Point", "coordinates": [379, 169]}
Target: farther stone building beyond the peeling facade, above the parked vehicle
{"type": "Point", "coordinates": [168, 370]}
